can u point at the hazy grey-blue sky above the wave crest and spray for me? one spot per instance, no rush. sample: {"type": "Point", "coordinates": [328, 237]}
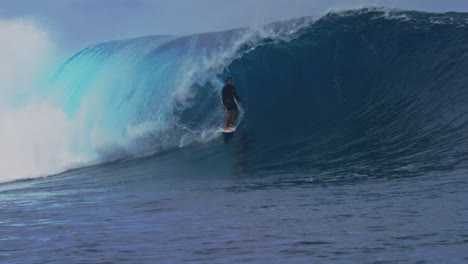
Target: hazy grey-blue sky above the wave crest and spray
{"type": "Point", "coordinates": [76, 24]}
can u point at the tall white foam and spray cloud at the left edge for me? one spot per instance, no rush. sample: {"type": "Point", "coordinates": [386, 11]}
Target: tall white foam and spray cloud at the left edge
{"type": "Point", "coordinates": [35, 137]}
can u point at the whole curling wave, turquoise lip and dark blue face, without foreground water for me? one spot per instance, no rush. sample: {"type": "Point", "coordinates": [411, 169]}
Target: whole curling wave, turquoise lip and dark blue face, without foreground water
{"type": "Point", "coordinates": [360, 93]}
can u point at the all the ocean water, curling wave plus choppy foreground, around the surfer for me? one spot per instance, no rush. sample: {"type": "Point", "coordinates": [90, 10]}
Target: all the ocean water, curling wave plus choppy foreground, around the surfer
{"type": "Point", "coordinates": [352, 147]}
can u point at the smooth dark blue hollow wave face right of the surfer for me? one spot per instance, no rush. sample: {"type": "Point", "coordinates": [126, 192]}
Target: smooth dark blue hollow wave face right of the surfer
{"type": "Point", "coordinates": [367, 93]}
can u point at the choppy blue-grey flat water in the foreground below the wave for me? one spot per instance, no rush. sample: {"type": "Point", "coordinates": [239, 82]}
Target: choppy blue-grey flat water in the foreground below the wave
{"type": "Point", "coordinates": [162, 211]}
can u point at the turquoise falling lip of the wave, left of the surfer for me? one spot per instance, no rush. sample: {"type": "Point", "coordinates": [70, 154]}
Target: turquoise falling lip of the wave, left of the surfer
{"type": "Point", "coordinates": [139, 96]}
